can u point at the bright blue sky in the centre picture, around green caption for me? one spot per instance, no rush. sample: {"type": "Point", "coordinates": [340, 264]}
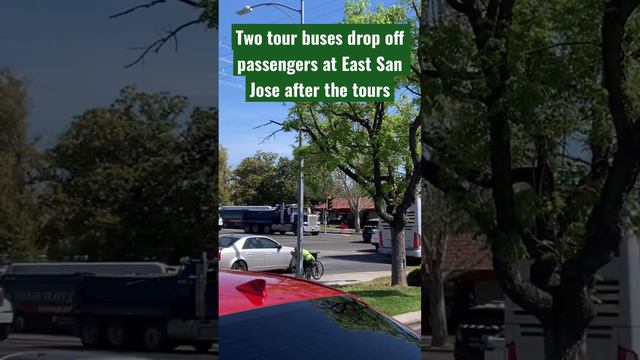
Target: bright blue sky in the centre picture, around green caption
{"type": "Point", "coordinates": [238, 118]}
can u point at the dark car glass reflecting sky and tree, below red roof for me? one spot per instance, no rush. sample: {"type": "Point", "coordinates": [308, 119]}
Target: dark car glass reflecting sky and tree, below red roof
{"type": "Point", "coordinates": [312, 329]}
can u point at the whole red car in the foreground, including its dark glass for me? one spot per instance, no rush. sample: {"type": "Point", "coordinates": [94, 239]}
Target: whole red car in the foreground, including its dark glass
{"type": "Point", "coordinates": [269, 316]}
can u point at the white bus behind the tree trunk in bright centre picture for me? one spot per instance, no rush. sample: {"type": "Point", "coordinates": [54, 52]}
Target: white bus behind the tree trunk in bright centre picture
{"type": "Point", "coordinates": [412, 233]}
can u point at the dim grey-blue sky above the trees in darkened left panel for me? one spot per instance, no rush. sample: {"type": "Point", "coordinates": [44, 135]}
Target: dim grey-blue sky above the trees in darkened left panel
{"type": "Point", "coordinates": [72, 56]}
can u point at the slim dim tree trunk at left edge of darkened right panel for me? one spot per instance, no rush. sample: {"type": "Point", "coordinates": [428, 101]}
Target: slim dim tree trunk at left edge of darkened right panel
{"type": "Point", "coordinates": [437, 309]}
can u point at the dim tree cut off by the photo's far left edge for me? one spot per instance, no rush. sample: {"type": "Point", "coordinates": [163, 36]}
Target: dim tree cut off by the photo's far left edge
{"type": "Point", "coordinates": [18, 160]}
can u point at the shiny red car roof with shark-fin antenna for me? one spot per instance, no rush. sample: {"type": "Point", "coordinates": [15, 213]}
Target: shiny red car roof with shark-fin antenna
{"type": "Point", "coordinates": [242, 291]}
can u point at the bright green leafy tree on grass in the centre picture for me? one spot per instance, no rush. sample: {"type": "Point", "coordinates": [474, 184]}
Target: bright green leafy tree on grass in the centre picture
{"type": "Point", "coordinates": [373, 144]}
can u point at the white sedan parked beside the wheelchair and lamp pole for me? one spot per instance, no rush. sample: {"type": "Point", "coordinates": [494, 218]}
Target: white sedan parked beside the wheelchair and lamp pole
{"type": "Point", "coordinates": [253, 252]}
